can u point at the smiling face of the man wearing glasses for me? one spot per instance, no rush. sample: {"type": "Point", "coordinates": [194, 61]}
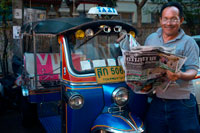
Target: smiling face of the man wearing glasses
{"type": "Point", "coordinates": [170, 21]}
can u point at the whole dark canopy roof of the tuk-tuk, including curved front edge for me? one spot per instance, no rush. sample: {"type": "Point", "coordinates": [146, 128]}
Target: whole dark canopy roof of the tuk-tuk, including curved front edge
{"type": "Point", "coordinates": [61, 25]}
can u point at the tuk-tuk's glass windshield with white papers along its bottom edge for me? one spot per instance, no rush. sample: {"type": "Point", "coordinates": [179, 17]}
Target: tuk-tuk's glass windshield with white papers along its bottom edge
{"type": "Point", "coordinates": [100, 51]}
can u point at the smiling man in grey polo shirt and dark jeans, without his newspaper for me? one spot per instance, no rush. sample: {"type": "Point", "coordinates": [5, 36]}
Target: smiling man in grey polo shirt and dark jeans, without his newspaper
{"type": "Point", "coordinates": [174, 110]}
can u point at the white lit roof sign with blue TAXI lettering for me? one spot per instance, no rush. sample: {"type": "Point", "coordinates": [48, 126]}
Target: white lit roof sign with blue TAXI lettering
{"type": "Point", "coordinates": [102, 11]}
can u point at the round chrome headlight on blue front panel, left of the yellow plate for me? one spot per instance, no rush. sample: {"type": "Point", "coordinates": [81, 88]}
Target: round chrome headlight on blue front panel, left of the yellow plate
{"type": "Point", "coordinates": [76, 101]}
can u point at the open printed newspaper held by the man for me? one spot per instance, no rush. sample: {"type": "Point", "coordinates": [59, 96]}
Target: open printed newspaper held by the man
{"type": "Point", "coordinates": [145, 66]}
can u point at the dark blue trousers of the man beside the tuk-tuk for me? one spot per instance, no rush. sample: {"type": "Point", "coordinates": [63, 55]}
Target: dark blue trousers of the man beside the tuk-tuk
{"type": "Point", "coordinates": [173, 116]}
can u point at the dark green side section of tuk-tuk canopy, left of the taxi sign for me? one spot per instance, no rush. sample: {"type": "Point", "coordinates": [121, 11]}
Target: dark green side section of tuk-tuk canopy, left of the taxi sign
{"type": "Point", "coordinates": [54, 26]}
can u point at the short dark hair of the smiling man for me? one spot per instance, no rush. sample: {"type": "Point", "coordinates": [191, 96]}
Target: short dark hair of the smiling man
{"type": "Point", "coordinates": [170, 4]}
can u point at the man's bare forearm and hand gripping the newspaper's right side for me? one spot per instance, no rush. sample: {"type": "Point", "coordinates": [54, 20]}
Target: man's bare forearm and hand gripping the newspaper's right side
{"type": "Point", "coordinates": [188, 75]}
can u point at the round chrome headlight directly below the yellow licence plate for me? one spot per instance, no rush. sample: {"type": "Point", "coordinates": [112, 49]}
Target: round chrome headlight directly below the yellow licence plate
{"type": "Point", "coordinates": [120, 96]}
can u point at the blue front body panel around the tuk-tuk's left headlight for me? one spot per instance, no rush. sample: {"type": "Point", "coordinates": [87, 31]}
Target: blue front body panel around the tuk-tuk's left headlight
{"type": "Point", "coordinates": [82, 119]}
